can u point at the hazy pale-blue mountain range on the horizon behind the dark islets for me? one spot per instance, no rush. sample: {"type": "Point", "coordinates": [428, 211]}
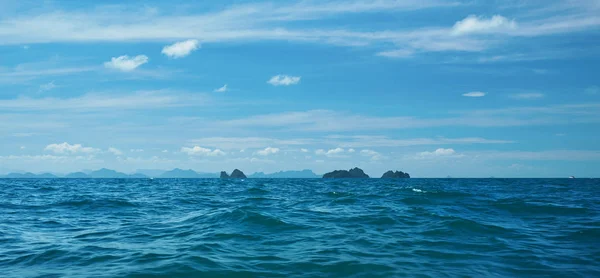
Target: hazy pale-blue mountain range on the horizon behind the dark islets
{"type": "Point", "coordinates": [148, 173]}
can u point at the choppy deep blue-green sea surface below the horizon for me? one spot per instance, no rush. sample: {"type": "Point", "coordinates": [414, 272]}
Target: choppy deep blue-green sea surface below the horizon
{"type": "Point", "coordinates": [300, 228]}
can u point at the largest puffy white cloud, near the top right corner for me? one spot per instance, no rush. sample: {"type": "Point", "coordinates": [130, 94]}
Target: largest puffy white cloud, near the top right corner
{"type": "Point", "coordinates": [475, 24]}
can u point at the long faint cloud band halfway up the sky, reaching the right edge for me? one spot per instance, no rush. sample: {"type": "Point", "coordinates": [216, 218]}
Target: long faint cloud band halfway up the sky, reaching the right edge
{"type": "Point", "coordinates": [330, 121]}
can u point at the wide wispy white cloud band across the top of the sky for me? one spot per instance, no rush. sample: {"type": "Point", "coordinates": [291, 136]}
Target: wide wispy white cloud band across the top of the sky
{"type": "Point", "coordinates": [270, 21]}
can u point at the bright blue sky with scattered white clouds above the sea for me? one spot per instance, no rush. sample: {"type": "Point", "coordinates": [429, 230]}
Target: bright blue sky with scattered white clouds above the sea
{"type": "Point", "coordinates": [434, 88]}
